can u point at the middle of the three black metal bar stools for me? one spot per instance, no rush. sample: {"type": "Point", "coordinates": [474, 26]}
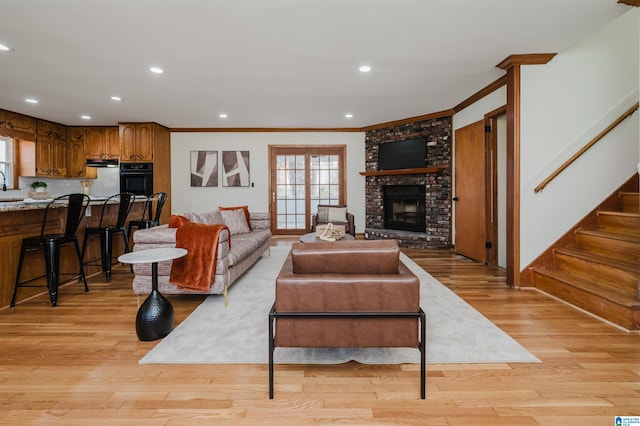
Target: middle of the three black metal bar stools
{"type": "Point", "coordinates": [106, 232]}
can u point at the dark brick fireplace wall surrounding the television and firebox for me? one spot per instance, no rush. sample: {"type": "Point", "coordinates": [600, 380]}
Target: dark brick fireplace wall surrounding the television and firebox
{"type": "Point", "coordinates": [436, 184]}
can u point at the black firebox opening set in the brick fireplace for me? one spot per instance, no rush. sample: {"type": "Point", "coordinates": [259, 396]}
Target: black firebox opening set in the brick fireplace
{"type": "Point", "coordinates": [404, 207]}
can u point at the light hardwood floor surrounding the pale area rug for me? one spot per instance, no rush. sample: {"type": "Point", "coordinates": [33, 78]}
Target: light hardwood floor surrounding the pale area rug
{"type": "Point", "coordinates": [77, 364]}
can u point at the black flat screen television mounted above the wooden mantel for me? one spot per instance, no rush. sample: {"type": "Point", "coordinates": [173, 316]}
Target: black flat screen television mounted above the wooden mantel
{"type": "Point", "coordinates": [406, 154]}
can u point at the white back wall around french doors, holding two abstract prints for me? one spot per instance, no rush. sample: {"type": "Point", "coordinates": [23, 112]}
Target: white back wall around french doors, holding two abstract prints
{"type": "Point", "coordinates": [185, 198]}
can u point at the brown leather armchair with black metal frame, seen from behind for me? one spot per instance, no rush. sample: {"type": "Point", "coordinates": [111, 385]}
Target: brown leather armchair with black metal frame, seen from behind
{"type": "Point", "coordinates": [352, 294]}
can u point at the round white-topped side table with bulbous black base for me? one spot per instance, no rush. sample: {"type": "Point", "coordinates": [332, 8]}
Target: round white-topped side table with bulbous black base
{"type": "Point", "coordinates": [155, 316]}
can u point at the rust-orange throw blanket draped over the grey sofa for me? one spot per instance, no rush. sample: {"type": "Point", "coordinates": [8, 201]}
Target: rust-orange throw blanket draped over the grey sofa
{"type": "Point", "coordinates": [196, 270]}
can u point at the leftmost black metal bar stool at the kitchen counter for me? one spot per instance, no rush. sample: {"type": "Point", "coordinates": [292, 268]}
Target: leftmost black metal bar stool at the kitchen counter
{"type": "Point", "coordinates": [76, 205]}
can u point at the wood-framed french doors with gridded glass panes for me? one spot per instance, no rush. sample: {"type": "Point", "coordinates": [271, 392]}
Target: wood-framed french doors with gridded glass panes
{"type": "Point", "coordinates": [301, 177]}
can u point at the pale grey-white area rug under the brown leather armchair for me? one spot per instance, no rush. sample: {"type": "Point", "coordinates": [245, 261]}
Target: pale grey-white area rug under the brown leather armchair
{"type": "Point", "coordinates": [238, 334]}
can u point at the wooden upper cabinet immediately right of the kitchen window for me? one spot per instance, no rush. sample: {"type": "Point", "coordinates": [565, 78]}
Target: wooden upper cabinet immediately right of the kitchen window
{"type": "Point", "coordinates": [51, 149]}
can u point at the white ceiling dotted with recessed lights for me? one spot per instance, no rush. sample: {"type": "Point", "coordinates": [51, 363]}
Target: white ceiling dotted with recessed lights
{"type": "Point", "coordinates": [270, 63]}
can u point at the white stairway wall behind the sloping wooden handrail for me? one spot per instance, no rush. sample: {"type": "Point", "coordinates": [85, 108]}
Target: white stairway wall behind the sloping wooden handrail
{"type": "Point", "coordinates": [564, 104]}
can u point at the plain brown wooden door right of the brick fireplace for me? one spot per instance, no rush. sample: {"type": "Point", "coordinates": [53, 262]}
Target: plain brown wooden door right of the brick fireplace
{"type": "Point", "coordinates": [470, 192]}
